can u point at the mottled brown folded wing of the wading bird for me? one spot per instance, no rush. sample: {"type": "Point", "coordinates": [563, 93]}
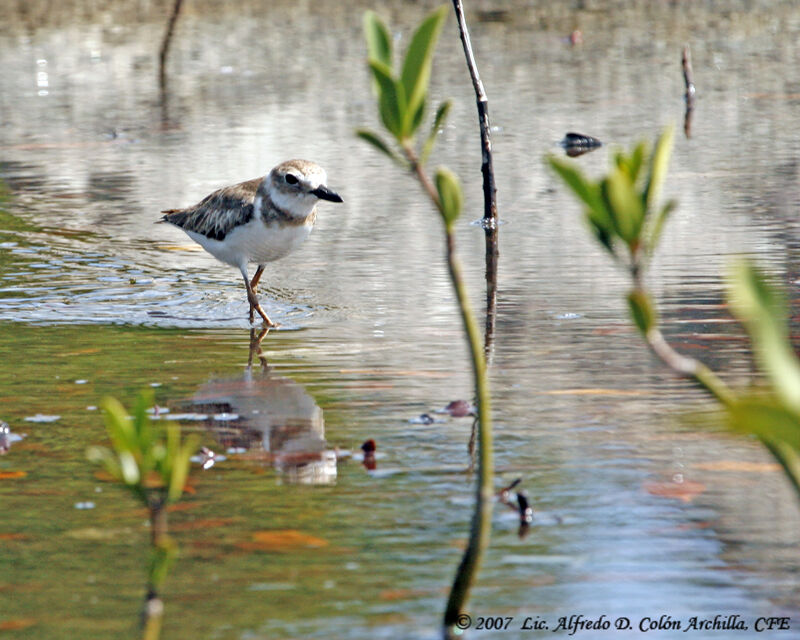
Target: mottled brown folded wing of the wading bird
{"type": "Point", "coordinates": [216, 215]}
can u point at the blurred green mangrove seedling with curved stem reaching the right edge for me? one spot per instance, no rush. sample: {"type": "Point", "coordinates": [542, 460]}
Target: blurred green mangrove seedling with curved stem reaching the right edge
{"type": "Point", "coordinates": [622, 212]}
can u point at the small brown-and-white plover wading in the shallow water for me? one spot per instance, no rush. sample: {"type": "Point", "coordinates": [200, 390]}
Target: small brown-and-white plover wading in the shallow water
{"type": "Point", "coordinates": [257, 221]}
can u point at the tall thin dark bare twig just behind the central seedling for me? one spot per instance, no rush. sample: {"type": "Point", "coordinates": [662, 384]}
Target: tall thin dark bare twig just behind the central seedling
{"type": "Point", "coordinates": [489, 188]}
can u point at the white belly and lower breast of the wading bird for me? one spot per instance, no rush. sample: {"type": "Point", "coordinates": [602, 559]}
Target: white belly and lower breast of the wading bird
{"type": "Point", "coordinates": [254, 242]}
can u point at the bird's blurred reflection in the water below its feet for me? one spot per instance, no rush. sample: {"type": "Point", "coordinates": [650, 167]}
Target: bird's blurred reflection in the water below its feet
{"type": "Point", "coordinates": [268, 418]}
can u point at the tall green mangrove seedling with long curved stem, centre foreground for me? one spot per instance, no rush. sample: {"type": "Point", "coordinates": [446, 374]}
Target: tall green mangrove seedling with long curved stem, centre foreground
{"type": "Point", "coordinates": [402, 98]}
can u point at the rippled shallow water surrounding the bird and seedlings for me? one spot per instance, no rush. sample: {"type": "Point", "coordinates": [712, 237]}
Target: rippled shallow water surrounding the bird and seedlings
{"type": "Point", "coordinates": [638, 512]}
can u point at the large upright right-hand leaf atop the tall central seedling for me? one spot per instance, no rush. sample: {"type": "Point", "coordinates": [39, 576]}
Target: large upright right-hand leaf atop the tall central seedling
{"type": "Point", "coordinates": [416, 72]}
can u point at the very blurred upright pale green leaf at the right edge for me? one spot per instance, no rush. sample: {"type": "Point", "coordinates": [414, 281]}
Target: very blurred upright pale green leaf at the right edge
{"type": "Point", "coordinates": [762, 309]}
